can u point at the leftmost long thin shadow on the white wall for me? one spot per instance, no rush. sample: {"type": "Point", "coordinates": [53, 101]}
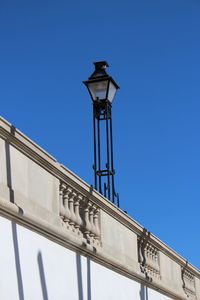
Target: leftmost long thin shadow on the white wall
{"type": "Point", "coordinates": [17, 262]}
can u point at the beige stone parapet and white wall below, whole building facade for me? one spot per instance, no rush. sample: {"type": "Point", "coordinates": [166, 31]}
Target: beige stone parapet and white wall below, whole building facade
{"type": "Point", "coordinates": [62, 240]}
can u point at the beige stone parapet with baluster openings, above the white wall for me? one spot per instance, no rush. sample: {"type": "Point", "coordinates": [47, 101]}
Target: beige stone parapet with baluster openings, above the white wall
{"type": "Point", "coordinates": [39, 193]}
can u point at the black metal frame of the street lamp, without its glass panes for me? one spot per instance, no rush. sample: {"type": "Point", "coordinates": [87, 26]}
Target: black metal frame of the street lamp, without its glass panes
{"type": "Point", "coordinates": [102, 113]}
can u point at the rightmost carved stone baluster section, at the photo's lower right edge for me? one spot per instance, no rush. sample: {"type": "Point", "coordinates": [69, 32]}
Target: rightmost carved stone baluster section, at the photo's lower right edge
{"type": "Point", "coordinates": [188, 282]}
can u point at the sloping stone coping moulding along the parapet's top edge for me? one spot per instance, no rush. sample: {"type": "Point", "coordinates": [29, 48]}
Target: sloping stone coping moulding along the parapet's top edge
{"type": "Point", "coordinates": [42, 158]}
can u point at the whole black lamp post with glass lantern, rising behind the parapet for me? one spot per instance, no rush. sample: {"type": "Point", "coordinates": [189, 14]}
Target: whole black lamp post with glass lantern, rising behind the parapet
{"type": "Point", "coordinates": [102, 89]}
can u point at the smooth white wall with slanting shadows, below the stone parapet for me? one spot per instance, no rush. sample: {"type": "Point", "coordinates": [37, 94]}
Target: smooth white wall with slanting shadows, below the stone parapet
{"type": "Point", "coordinates": [33, 268]}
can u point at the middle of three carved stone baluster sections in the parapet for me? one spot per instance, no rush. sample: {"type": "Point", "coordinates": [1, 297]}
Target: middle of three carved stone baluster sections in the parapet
{"type": "Point", "coordinates": [148, 256]}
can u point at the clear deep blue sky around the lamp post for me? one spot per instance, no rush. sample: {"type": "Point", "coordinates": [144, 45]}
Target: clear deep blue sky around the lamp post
{"type": "Point", "coordinates": [153, 48]}
